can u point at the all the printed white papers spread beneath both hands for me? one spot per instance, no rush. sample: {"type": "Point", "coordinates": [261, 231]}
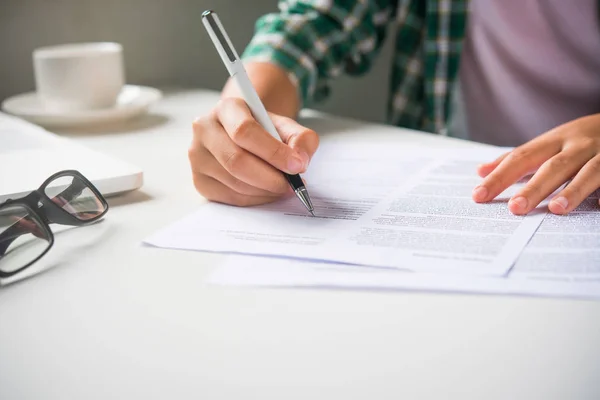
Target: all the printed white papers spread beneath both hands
{"type": "Point", "coordinates": [398, 219]}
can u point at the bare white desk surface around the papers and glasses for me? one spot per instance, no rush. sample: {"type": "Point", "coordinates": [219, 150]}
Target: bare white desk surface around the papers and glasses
{"type": "Point", "coordinates": [113, 319]}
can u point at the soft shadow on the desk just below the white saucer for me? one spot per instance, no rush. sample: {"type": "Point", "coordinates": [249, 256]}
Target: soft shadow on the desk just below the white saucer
{"type": "Point", "coordinates": [145, 122]}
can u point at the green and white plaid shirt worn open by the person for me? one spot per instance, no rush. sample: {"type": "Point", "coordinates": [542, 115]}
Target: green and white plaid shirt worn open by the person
{"type": "Point", "coordinates": [317, 40]}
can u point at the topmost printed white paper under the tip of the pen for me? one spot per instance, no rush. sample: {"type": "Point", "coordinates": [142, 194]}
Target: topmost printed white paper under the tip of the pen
{"type": "Point", "coordinates": [376, 205]}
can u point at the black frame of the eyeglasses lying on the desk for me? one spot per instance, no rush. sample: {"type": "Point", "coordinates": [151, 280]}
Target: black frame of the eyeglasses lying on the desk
{"type": "Point", "coordinates": [44, 211]}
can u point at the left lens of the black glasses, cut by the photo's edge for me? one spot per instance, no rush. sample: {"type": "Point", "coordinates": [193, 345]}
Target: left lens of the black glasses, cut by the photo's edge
{"type": "Point", "coordinates": [22, 238]}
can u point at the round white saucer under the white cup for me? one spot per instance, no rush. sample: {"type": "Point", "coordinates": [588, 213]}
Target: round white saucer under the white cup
{"type": "Point", "coordinates": [133, 101]}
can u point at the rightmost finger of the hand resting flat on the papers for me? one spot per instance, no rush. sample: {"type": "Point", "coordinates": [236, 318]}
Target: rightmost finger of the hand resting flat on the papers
{"type": "Point", "coordinates": [583, 184]}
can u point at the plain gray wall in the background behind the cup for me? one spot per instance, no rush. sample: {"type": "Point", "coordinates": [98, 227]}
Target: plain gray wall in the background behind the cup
{"type": "Point", "coordinates": [164, 44]}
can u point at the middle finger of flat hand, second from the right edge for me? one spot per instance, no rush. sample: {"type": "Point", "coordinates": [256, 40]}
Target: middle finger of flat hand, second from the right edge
{"type": "Point", "coordinates": [547, 179]}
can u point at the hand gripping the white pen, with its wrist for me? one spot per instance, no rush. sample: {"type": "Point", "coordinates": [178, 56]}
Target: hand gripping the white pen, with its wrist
{"type": "Point", "coordinates": [235, 160]}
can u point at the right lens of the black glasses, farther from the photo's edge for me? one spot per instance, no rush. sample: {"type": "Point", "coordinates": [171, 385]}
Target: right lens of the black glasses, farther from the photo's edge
{"type": "Point", "coordinates": [75, 197]}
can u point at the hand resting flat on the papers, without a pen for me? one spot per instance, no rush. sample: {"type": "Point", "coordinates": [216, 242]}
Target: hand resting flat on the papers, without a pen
{"type": "Point", "coordinates": [569, 151]}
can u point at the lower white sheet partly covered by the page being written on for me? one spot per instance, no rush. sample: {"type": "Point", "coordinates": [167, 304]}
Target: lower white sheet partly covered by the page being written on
{"type": "Point", "coordinates": [562, 260]}
